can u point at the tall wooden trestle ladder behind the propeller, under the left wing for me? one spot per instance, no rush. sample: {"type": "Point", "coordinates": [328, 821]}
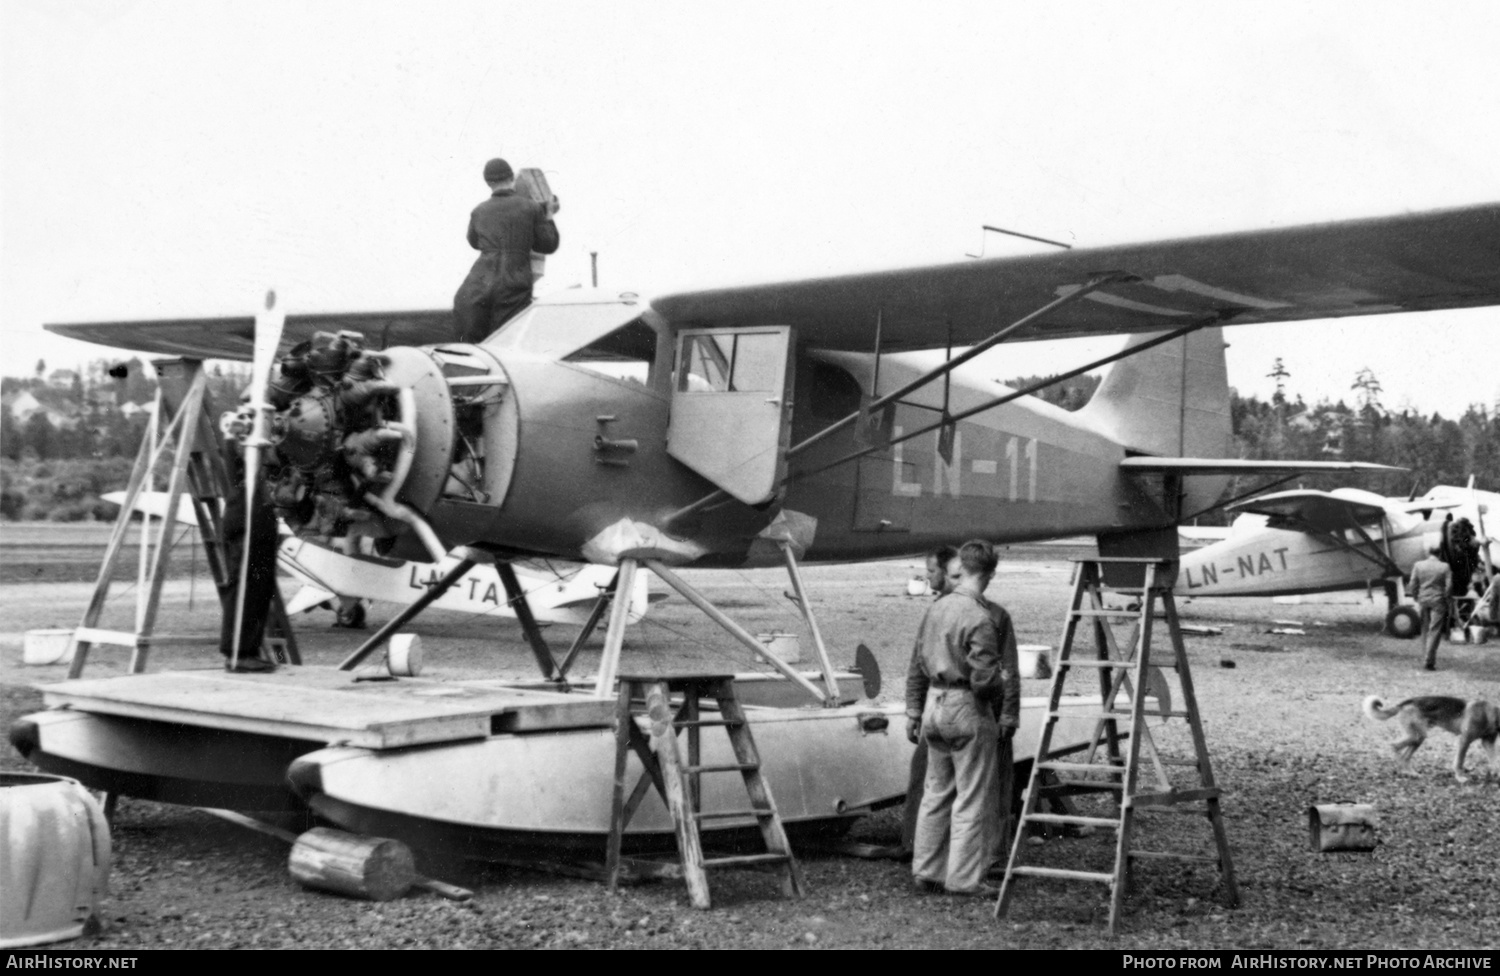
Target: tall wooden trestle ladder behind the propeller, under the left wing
{"type": "Point", "coordinates": [182, 431]}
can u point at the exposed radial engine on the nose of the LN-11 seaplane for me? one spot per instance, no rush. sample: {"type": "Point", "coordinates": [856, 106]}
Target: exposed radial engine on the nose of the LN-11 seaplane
{"type": "Point", "coordinates": [380, 445]}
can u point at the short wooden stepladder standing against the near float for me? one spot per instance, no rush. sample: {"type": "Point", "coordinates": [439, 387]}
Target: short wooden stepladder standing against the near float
{"type": "Point", "coordinates": [680, 783]}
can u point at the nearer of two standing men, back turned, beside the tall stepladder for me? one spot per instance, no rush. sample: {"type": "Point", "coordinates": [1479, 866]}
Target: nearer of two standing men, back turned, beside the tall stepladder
{"type": "Point", "coordinates": [952, 684]}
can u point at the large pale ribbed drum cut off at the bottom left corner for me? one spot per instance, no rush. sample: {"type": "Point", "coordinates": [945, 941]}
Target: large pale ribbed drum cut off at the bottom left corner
{"type": "Point", "coordinates": [55, 864]}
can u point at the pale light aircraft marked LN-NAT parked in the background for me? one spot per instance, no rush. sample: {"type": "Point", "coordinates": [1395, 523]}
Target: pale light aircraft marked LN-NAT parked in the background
{"type": "Point", "coordinates": [1310, 542]}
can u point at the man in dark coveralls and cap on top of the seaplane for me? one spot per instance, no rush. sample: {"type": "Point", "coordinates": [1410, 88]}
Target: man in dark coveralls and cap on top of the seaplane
{"type": "Point", "coordinates": [506, 229]}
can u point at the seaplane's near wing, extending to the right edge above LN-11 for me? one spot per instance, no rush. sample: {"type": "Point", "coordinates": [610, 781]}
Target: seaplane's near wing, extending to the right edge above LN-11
{"type": "Point", "coordinates": [1411, 263]}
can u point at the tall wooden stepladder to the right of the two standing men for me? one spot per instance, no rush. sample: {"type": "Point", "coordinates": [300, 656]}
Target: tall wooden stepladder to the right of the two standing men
{"type": "Point", "coordinates": [1133, 689]}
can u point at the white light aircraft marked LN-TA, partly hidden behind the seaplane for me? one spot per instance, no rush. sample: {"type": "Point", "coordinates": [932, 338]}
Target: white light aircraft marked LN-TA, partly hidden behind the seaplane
{"type": "Point", "coordinates": [559, 593]}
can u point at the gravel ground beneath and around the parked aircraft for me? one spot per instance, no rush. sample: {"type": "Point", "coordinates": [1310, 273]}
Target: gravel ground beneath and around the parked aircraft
{"type": "Point", "coordinates": [1283, 725]}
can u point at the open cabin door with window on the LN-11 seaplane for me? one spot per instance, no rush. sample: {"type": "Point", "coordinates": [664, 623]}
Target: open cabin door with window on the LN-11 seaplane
{"type": "Point", "coordinates": [731, 407]}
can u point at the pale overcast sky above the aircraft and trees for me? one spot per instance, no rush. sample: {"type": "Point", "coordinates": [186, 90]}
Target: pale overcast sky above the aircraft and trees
{"type": "Point", "coordinates": [164, 160]}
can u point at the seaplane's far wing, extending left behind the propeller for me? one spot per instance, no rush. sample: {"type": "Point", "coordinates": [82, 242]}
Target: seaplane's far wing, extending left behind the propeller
{"type": "Point", "coordinates": [233, 338]}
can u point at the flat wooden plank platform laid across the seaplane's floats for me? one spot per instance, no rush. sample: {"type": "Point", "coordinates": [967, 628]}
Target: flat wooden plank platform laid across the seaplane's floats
{"type": "Point", "coordinates": [328, 705]}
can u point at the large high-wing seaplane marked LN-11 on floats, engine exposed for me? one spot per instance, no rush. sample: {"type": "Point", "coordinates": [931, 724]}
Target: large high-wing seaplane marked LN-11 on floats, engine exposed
{"type": "Point", "coordinates": [748, 427]}
